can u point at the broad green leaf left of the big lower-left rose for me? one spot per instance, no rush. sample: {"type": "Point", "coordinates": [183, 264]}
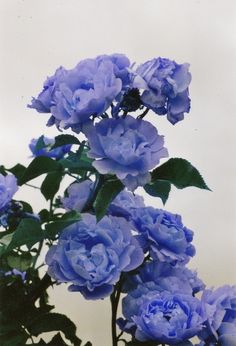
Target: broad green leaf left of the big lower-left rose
{"type": "Point", "coordinates": [27, 233]}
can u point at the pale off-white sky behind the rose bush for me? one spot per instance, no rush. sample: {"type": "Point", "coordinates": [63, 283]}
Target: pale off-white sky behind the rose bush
{"type": "Point", "coordinates": [36, 36]}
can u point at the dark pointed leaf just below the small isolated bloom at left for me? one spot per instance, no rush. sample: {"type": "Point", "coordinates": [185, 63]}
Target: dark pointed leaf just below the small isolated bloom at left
{"type": "Point", "coordinates": [38, 166]}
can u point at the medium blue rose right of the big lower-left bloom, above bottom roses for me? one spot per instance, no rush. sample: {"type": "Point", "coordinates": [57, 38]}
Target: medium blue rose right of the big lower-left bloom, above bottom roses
{"type": "Point", "coordinates": [164, 235]}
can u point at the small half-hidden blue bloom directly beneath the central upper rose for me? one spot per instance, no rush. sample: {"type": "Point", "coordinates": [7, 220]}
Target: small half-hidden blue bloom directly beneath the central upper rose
{"type": "Point", "coordinates": [124, 203]}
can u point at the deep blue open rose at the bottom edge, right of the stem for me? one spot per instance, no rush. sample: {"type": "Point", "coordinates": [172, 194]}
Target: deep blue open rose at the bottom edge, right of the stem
{"type": "Point", "coordinates": [162, 316]}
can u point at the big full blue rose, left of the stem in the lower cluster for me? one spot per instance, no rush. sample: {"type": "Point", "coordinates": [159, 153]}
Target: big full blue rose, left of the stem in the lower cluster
{"type": "Point", "coordinates": [91, 256]}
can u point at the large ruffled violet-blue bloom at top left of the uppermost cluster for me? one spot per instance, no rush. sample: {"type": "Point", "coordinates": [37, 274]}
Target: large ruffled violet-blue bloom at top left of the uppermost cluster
{"type": "Point", "coordinates": [73, 96]}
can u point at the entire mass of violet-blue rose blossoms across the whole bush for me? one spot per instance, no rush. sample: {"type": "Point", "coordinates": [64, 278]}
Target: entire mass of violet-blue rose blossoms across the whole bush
{"type": "Point", "coordinates": [142, 248]}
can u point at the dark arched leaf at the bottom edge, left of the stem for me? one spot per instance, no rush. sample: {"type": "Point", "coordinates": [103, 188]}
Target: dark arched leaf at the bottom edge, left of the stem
{"type": "Point", "coordinates": [55, 322]}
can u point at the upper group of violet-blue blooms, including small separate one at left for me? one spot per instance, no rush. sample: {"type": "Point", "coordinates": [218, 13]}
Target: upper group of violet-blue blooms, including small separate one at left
{"type": "Point", "coordinates": [120, 144]}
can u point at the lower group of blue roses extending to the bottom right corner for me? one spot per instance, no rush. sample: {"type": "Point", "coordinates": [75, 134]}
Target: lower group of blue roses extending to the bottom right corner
{"type": "Point", "coordinates": [165, 301]}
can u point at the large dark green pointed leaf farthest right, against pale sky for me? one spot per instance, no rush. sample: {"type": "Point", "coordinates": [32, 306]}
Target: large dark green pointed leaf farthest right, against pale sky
{"type": "Point", "coordinates": [180, 173]}
